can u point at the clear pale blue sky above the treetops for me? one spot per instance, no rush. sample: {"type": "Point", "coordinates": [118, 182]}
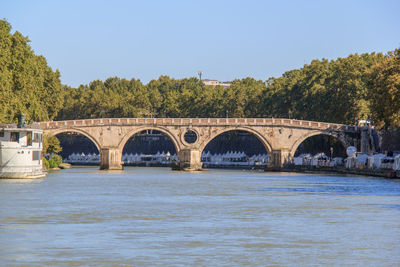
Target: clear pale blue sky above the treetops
{"type": "Point", "coordinates": [89, 40]}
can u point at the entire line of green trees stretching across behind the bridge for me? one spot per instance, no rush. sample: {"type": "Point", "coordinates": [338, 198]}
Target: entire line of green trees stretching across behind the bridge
{"type": "Point", "coordinates": [342, 91]}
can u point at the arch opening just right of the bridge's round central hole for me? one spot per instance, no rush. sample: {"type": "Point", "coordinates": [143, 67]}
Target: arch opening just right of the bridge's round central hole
{"type": "Point", "coordinates": [235, 149]}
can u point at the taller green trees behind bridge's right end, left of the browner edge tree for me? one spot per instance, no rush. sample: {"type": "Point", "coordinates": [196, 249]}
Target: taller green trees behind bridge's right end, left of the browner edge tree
{"type": "Point", "coordinates": [333, 91]}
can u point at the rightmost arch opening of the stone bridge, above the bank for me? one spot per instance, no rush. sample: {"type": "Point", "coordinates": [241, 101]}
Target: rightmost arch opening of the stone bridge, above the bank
{"type": "Point", "coordinates": [330, 146]}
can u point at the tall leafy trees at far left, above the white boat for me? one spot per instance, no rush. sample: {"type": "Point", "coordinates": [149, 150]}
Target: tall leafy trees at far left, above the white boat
{"type": "Point", "coordinates": [27, 83]}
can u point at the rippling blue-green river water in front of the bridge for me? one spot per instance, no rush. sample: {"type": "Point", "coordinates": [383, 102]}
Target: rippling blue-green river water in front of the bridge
{"type": "Point", "coordinates": [155, 216]}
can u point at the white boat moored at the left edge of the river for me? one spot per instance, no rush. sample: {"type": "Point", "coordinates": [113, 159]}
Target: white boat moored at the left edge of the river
{"type": "Point", "coordinates": [21, 151]}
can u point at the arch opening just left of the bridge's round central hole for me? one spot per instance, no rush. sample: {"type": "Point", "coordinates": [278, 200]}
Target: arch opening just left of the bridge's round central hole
{"type": "Point", "coordinates": [150, 148]}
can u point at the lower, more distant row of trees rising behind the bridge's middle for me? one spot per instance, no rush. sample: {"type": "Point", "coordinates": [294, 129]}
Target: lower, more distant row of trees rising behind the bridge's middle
{"type": "Point", "coordinates": [164, 97]}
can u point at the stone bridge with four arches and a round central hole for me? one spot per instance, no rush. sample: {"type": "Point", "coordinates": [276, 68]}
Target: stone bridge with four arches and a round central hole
{"type": "Point", "coordinates": [281, 137]}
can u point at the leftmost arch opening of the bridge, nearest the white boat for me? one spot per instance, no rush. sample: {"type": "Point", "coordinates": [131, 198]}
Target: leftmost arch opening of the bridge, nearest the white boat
{"type": "Point", "coordinates": [78, 149]}
